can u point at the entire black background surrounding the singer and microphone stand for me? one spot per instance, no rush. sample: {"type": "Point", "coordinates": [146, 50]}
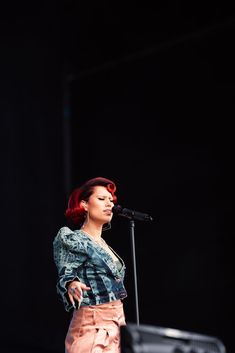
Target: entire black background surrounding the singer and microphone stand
{"type": "Point", "coordinates": [144, 95]}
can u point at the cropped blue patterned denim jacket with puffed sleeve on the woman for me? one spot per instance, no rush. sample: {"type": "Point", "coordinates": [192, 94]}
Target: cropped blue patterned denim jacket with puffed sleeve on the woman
{"type": "Point", "coordinates": [77, 257]}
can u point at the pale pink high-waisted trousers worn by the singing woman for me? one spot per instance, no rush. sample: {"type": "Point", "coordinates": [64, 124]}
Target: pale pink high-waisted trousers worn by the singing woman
{"type": "Point", "coordinates": [96, 329]}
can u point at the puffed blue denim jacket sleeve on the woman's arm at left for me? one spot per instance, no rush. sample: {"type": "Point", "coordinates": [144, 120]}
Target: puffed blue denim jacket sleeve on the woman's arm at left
{"type": "Point", "coordinates": [69, 255]}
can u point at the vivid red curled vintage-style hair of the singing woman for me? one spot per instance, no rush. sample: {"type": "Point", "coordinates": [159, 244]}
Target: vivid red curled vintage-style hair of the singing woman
{"type": "Point", "coordinates": [75, 213]}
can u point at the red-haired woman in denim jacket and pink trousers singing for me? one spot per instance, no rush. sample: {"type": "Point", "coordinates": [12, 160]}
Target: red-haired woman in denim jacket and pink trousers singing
{"type": "Point", "coordinates": [90, 272]}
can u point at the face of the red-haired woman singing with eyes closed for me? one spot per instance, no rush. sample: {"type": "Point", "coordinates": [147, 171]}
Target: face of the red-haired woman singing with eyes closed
{"type": "Point", "coordinates": [100, 204]}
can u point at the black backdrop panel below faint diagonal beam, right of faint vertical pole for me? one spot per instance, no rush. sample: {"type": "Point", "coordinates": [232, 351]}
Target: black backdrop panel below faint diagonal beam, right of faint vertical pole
{"type": "Point", "coordinates": [169, 147]}
